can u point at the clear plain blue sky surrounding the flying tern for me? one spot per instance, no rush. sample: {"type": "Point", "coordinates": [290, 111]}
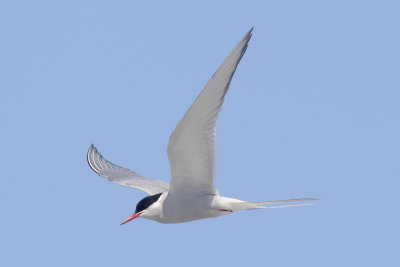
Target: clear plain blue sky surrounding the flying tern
{"type": "Point", "coordinates": [313, 111]}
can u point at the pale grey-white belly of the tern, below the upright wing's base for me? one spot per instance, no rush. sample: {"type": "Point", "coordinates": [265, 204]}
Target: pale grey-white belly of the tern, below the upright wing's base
{"type": "Point", "coordinates": [178, 209]}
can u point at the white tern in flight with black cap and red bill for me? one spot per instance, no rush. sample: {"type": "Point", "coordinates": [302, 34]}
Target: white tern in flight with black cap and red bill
{"type": "Point", "coordinates": [192, 193]}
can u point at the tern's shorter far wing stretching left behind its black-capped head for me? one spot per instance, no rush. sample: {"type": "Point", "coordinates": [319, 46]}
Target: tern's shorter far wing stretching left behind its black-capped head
{"type": "Point", "coordinates": [123, 176]}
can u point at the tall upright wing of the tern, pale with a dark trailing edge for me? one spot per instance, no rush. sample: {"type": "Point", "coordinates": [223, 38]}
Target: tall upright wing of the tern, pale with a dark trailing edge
{"type": "Point", "coordinates": [191, 149]}
